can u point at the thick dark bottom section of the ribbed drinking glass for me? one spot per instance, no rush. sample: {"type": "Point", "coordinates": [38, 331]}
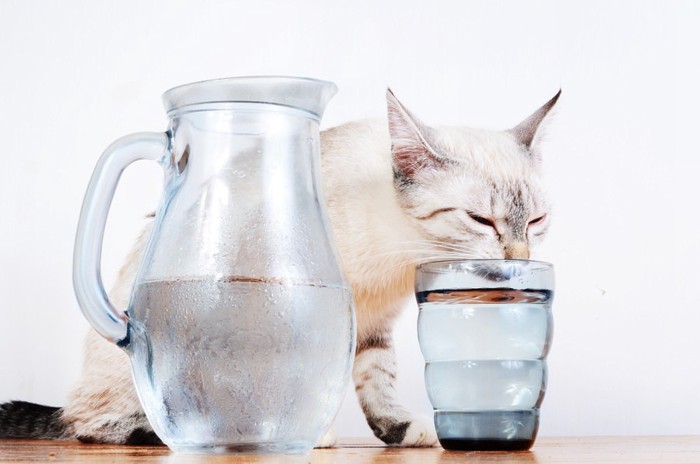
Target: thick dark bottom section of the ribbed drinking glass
{"type": "Point", "coordinates": [487, 430]}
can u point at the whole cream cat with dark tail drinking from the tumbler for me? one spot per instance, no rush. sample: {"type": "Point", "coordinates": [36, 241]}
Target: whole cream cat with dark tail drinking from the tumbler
{"type": "Point", "coordinates": [395, 198]}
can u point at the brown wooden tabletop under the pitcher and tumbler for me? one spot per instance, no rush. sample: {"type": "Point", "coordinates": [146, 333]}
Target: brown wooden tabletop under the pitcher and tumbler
{"type": "Point", "coordinates": [636, 450]}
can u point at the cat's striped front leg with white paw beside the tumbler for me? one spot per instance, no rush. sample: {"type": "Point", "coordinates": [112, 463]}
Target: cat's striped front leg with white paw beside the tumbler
{"type": "Point", "coordinates": [374, 374]}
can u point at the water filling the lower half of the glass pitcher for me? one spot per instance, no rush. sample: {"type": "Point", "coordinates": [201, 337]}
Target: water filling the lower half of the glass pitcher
{"type": "Point", "coordinates": [229, 357]}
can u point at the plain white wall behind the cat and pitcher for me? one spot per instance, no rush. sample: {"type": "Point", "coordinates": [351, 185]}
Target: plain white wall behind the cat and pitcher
{"type": "Point", "coordinates": [622, 163]}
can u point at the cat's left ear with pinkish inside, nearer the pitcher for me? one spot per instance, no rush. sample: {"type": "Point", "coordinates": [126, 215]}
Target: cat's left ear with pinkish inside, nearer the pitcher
{"type": "Point", "coordinates": [411, 148]}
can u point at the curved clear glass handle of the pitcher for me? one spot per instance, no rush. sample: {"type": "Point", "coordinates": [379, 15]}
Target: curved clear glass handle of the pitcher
{"type": "Point", "coordinates": [87, 279]}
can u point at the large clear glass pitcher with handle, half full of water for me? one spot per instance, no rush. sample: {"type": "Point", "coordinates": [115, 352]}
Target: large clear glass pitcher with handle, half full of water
{"type": "Point", "coordinates": [240, 328]}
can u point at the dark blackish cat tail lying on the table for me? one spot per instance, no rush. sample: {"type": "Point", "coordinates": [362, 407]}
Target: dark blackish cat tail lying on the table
{"type": "Point", "coordinates": [19, 419]}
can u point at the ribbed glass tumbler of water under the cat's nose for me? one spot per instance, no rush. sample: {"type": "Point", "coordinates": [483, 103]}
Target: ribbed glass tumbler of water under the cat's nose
{"type": "Point", "coordinates": [484, 328]}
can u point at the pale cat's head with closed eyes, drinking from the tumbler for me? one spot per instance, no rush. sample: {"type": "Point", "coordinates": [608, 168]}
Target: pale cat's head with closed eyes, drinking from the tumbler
{"type": "Point", "coordinates": [471, 193]}
